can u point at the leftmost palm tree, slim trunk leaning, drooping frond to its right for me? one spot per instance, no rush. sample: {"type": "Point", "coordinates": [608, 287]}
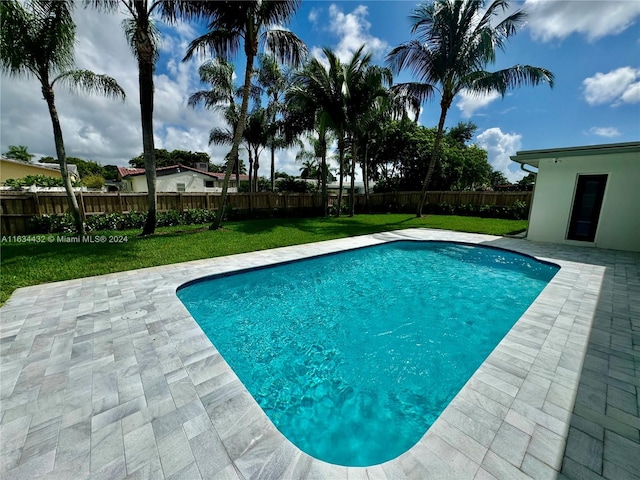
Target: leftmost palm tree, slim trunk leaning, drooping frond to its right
{"type": "Point", "coordinates": [38, 39]}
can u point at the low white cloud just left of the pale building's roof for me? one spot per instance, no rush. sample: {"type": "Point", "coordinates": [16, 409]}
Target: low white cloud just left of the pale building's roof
{"type": "Point", "coordinates": [500, 146]}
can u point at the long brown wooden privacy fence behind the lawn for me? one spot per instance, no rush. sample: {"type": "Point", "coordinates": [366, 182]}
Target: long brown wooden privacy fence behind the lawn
{"type": "Point", "coordinates": [16, 208]}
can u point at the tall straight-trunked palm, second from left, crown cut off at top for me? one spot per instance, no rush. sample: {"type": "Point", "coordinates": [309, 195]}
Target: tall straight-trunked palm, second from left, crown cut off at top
{"type": "Point", "coordinates": [144, 37]}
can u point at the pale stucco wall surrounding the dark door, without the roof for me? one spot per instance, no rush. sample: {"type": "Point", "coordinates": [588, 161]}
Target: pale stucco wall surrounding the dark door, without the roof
{"type": "Point", "coordinates": [619, 225]}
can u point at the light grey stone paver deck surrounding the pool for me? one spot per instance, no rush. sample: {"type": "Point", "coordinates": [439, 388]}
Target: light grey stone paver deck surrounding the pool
{"type": "Point", "coordinates": [110, 377]}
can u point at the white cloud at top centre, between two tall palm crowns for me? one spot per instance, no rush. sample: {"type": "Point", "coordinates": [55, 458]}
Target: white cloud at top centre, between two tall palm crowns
{"type": "Point", "coordinates": [352, 30]}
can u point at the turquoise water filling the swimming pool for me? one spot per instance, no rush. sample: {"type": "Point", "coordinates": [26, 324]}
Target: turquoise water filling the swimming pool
{"type": "Point", "coordinates": [354, 355]}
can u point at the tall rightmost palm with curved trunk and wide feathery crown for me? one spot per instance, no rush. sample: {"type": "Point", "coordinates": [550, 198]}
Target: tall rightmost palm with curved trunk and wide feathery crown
{"type": "Point", "coordinates": [455, 43]}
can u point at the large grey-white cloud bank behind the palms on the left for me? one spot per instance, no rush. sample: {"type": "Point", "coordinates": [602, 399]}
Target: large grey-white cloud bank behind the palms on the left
{"type": "Point", "coordinates": [102, 129]}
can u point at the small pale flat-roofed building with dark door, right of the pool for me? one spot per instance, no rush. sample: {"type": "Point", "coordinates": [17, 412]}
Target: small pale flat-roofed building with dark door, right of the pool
{"type": "Point", "coordinates": [586, 195]}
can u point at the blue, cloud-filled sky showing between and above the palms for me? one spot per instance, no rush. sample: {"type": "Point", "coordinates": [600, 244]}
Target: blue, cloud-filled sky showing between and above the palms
{"type": "Point", "coordinates": [591, 46]}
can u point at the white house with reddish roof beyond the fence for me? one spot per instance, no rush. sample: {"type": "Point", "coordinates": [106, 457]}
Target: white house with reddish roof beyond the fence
{"type": "Point", "coordinates": [177, 178]}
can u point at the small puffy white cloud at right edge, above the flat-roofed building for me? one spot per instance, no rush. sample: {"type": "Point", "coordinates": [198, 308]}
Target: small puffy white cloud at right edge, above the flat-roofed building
{"type": "Point", "coordinates": [616, 87]}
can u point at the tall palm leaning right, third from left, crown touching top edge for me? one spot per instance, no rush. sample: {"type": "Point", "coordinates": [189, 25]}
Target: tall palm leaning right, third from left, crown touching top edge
{"type": "Point", "coordinates": [250, 22]}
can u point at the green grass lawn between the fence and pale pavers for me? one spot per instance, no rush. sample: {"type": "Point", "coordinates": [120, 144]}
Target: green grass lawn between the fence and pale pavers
{"type": "Point", "coordinates": [25, 264]}
